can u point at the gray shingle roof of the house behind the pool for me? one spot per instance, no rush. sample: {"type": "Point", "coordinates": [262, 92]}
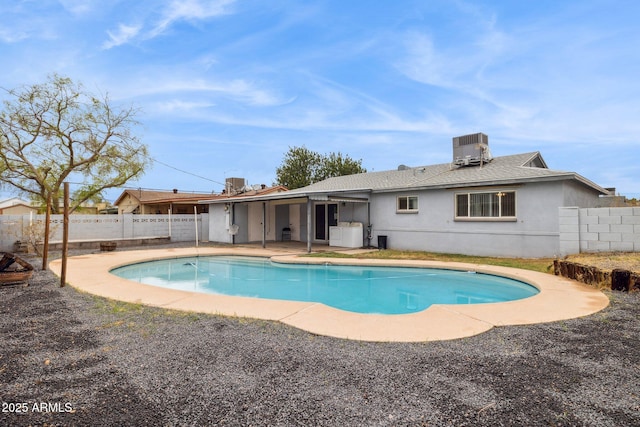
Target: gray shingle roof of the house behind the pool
{"type": "Point", "coordinates": [501, 170]}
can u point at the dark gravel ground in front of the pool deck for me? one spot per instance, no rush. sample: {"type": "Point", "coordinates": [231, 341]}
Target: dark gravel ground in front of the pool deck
{"type": "Point", "coordinates": [68, 358]}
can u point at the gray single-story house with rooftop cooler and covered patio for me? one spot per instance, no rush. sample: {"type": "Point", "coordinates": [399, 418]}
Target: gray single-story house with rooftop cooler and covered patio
{"type": "Point", "coordinates": [477, 205]}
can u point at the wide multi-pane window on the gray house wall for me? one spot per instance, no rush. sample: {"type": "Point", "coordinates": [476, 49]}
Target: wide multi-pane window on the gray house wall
{"type": "Point", "coordinates": [500, 204]}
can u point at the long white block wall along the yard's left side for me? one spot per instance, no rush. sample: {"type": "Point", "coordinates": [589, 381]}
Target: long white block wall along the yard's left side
{"type": "Point", "coordinates": [181, 228]}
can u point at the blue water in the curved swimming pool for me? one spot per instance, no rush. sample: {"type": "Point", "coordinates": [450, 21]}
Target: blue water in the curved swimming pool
{"type": "Point", "coordinates": [386, 290]}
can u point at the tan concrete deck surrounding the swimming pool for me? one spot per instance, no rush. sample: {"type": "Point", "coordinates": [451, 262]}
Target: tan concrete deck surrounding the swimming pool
{"type": "Point", "coordinates": [559, 298]}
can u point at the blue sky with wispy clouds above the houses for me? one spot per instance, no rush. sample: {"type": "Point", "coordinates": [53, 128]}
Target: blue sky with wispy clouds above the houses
{"type": "Point", "coordinates": [226, 87]}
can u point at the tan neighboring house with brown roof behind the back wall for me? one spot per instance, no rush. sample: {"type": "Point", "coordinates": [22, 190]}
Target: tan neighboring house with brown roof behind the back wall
{"type": "Point", "coordinates": [139, 201]}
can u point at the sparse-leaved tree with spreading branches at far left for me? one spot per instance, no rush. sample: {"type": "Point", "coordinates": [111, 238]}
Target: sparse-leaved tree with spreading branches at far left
{"type": "Point", "coordinates": [56, 131]}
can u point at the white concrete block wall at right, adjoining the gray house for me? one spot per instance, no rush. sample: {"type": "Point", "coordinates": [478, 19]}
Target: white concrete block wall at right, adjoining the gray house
{"type": "Point", "coordinates": [599, 230]}
